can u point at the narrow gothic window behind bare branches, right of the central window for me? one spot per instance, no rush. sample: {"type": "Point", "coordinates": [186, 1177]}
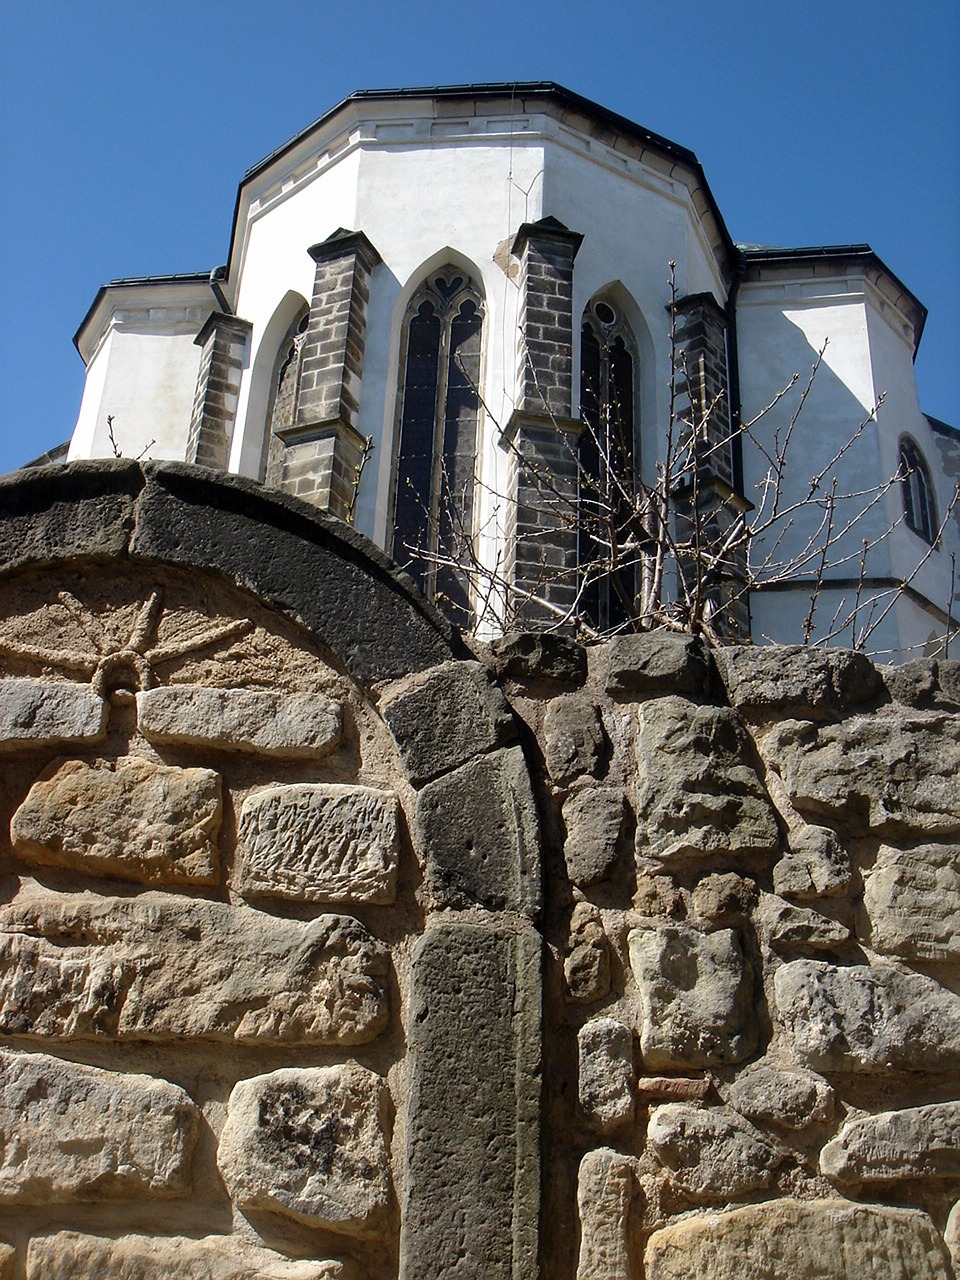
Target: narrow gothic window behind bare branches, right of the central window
{"type": "Point", "coordinates": [609, 465]}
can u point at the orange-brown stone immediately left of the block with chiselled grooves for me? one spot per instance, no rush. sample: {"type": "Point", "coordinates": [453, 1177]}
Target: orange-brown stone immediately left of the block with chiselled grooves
{"type": "Point", "coordinates": [129, 820]}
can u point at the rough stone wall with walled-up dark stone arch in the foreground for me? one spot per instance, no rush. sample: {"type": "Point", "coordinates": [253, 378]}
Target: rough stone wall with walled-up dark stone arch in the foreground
{"type": "Point", "coordinates": [333, 949]}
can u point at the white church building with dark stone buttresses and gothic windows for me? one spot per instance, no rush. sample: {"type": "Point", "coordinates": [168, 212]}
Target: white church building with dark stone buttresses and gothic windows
{"type": "Point", "coordinates": [442, 307]}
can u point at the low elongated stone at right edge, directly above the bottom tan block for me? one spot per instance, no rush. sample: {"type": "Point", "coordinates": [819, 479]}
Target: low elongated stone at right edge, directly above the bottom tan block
{"type": "Point", "coordinates": [921, 1142]}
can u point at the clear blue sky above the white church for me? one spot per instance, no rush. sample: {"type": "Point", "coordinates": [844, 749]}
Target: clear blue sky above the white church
{"type": "Point", "coordinates": [126, 127]}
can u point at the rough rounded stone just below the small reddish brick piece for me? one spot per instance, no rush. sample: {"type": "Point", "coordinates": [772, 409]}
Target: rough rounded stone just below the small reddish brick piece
{"type": "Point", "coordinates": [711, 1153]}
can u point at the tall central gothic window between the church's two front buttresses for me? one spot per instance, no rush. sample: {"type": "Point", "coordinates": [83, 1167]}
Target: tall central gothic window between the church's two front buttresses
{"type": "Point", "coordinates": [440, 415]}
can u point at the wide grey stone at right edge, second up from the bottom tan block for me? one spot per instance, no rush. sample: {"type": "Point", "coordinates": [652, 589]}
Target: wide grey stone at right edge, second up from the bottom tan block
{"type": "Point", "coordinates": [866, 1018]}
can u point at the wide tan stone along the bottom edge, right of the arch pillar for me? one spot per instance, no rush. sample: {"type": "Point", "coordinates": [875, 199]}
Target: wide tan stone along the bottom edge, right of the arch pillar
{"type": "Point", "coordinates": [787, 1238]}
